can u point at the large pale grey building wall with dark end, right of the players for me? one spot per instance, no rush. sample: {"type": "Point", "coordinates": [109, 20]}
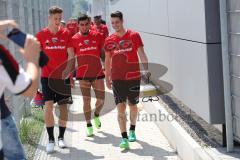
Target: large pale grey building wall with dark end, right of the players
{"type": "Point", "coordinates": [184, 36]}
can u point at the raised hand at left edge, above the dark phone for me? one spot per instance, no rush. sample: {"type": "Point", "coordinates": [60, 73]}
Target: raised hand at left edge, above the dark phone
{"type": "Point", "coordinates": [4, 24]}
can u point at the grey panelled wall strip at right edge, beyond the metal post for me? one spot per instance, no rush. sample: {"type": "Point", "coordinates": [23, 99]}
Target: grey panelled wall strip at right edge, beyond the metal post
{"type": "Point", "coordinates": [234, 41]}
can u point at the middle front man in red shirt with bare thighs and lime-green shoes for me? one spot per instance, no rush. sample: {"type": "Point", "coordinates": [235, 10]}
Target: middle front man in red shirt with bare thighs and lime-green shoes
{"type": "Point", "coordinates": [88, 46]}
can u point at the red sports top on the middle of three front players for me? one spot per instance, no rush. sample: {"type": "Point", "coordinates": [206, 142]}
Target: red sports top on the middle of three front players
{"type": "Point", "coordinates": [88, 50]}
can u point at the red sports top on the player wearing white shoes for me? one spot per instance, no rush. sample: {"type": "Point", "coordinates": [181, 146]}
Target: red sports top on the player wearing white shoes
{"type": "Point", "coordinates": [55, 47]}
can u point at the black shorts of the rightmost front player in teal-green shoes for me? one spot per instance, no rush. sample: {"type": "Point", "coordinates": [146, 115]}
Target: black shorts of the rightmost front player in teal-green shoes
{"type": "Point", "coordinates": [124, 90]}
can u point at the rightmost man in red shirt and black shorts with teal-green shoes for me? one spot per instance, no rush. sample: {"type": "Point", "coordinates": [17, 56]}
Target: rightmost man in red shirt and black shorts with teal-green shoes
{"type": "Point", "coordinates": [122, 49]}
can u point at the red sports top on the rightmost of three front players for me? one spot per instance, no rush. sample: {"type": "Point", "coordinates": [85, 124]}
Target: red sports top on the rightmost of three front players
{"type": "Point", "coordinates": [124, 57]}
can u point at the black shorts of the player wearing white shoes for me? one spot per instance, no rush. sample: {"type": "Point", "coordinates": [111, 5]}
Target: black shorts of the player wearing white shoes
{"type": "Point", "coordinates": [57, 90]}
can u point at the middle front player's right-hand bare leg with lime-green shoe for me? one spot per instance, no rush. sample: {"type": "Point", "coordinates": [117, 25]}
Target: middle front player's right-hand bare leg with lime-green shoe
{"type": "Point", "coordinates": [99, 89]}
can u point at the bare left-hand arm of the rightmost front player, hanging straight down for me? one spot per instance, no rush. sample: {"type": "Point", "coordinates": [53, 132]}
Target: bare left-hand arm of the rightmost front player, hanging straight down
{"type": "Point", "coordinates": [108, 70]}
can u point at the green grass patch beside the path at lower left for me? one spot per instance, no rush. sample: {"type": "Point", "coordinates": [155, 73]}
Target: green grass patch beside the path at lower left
{"type": "Point", "coordinates": [30, 131]}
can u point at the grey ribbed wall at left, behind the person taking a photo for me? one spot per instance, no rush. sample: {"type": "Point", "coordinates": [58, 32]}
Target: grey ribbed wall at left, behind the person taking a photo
{"type": "Point", "coordinates": [31, 15]}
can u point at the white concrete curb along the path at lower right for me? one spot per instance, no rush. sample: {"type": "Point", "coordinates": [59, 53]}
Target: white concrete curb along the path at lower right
{"type": "Point", "coordinates": [186, 147]}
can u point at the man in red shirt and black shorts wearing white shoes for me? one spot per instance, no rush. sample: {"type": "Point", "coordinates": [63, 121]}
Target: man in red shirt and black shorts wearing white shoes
{"type": "Point", "coordinates": [55, 42]}
